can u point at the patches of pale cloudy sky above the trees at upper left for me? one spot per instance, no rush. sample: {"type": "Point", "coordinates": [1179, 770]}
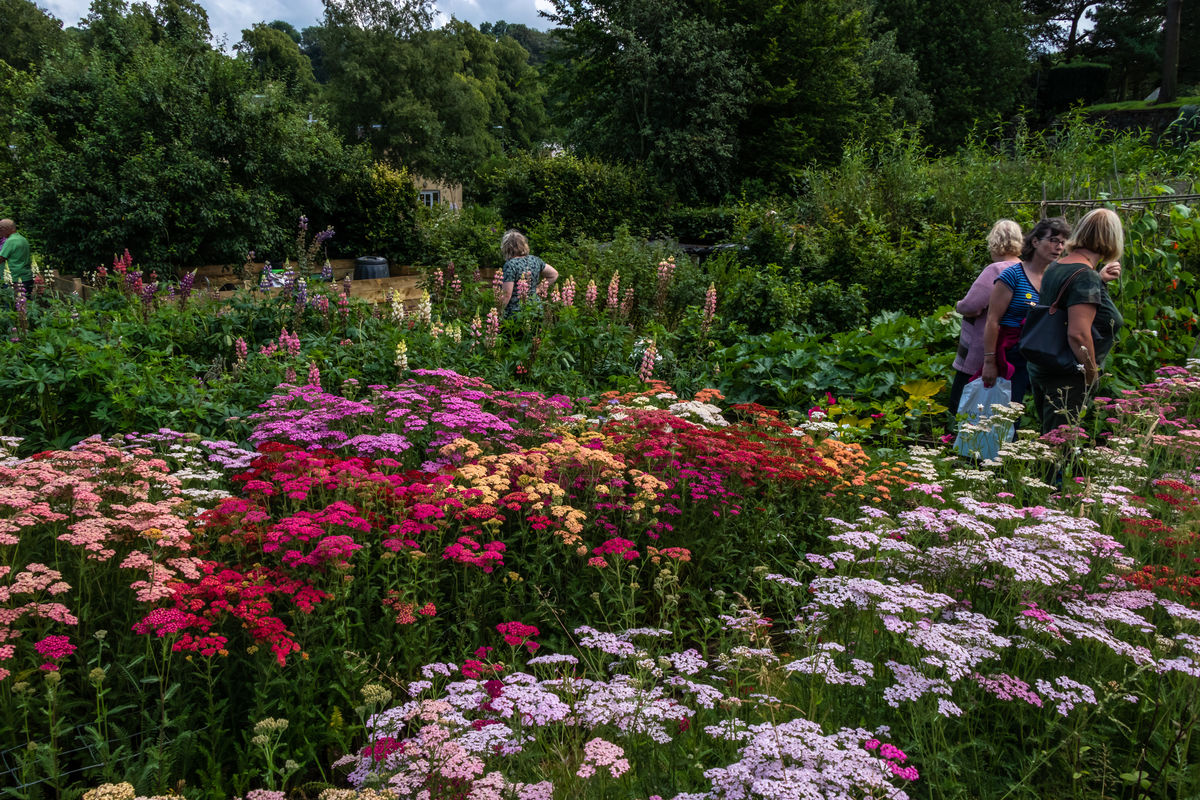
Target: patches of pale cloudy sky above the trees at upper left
{"type": "Point", "coordinates": [230, 17]}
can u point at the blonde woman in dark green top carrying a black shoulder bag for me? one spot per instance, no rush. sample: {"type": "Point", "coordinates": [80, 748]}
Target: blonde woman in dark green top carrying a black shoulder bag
{"type": "Point", "coordinates": [1093, 320]}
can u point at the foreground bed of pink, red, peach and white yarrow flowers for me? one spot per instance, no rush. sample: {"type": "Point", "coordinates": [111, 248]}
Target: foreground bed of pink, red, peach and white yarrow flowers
{"type": "Point", "coordinates": [442, 588]}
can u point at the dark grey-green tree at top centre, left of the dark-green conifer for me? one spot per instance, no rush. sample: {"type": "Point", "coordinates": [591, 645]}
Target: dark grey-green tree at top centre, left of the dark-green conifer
{"type": "Point", "coordinates": [652, 82]}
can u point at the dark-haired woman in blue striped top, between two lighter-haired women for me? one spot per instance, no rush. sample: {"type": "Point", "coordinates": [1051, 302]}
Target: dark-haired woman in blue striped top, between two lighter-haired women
{"type": "Point", "coordinates": [1015, 293]}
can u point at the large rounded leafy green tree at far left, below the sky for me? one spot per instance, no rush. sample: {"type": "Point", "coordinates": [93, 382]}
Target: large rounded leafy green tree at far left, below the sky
{"type": "Point", "coordinates": [142, 136]}
